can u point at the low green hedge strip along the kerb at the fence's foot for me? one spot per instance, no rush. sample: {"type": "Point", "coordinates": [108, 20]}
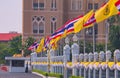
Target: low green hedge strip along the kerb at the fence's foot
{"type": "Point", "coordinates": [48, 74]}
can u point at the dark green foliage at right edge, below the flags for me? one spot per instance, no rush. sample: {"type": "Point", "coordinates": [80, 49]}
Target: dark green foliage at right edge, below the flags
{"type": "Point", "coordinates": [114, 36]}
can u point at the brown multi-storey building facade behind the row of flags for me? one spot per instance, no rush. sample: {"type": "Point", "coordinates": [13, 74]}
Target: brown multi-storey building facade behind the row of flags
{"type": "Point", "coordinates": [43, 17]}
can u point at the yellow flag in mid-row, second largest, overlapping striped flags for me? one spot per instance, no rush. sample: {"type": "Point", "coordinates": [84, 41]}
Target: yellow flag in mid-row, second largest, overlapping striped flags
{"type": "Point", "coordinates": [78, 26]}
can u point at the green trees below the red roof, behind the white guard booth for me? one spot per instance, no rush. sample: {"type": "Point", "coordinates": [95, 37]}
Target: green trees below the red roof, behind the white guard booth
{"type": "Point", "coordinates": [14, 47]}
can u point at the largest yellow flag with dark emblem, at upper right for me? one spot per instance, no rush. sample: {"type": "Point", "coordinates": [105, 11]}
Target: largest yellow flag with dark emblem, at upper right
{"type": "Point", "coordinates": [109, 9]}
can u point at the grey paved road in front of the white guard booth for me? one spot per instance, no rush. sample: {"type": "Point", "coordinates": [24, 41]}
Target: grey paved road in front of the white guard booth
{"type": "Point", "coordinates": [17, 75]}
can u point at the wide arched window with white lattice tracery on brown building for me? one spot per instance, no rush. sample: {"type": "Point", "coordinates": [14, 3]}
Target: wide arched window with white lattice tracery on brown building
{"type": "Point", "coordinates": [38, 24]}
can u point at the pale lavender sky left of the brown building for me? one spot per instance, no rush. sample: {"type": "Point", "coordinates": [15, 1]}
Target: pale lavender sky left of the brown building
{"type": "Point", "coordinates": [10, 16]}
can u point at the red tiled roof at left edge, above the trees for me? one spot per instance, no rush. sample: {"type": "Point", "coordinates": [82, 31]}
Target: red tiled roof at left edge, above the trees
{"type": "Point", "coordinates": [8, 36]}
